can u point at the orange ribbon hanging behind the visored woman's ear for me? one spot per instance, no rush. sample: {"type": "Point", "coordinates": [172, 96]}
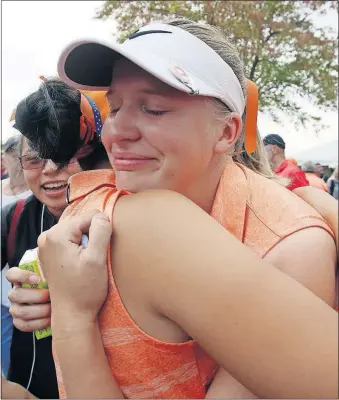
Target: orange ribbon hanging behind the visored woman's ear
{"type": "Point", "coordinates": [251, 117]}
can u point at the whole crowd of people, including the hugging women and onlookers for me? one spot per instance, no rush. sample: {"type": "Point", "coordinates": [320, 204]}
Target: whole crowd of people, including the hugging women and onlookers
{"type": "Point", "coordinates": [210, 263]}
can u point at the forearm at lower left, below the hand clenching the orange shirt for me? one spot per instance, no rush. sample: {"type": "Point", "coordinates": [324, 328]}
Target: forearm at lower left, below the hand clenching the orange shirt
{"type": "Point", "coordinates": [83, 364]}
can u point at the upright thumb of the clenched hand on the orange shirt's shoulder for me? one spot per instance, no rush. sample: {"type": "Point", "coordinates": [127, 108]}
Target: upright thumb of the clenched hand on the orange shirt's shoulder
{"type": "Point", "coordinates": [100, 233]}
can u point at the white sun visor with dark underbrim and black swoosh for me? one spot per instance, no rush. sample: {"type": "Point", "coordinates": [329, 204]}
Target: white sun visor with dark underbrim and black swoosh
{"type": "Point", "coordinates": [171, 54]}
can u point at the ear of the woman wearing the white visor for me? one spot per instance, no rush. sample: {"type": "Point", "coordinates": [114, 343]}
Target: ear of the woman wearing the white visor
{"type": "Point", "coordinates": [230, 134]}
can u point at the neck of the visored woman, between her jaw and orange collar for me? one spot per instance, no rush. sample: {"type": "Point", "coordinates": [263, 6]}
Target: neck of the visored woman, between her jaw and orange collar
{"type": "Point", "coordinates": [202, 193]}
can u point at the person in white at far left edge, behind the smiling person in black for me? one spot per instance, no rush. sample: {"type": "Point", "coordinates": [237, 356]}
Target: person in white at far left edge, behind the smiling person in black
{"type": "Point", "coordinates": [13, 189]}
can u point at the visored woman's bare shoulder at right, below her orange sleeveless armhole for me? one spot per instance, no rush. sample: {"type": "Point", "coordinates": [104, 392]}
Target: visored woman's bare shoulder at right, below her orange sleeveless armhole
{"type": "Point", "coordinates": [310, 257]}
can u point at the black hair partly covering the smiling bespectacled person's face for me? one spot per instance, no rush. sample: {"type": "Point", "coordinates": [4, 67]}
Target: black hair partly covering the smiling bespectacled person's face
{"type": "Point", "coordinates": [50, 120]}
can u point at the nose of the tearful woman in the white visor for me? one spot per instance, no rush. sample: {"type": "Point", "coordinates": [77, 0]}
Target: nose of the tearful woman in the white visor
{"type": "Point", "coordinates": [123, 126]}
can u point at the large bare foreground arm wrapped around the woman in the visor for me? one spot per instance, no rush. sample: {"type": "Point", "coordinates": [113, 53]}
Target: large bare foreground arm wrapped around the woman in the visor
{"type": "Point", "coordinates": [256, 320]}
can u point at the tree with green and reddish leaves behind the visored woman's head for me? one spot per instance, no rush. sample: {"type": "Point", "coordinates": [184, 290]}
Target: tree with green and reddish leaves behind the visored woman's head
{"type": "Point", "coordinates": [283, 51]}
